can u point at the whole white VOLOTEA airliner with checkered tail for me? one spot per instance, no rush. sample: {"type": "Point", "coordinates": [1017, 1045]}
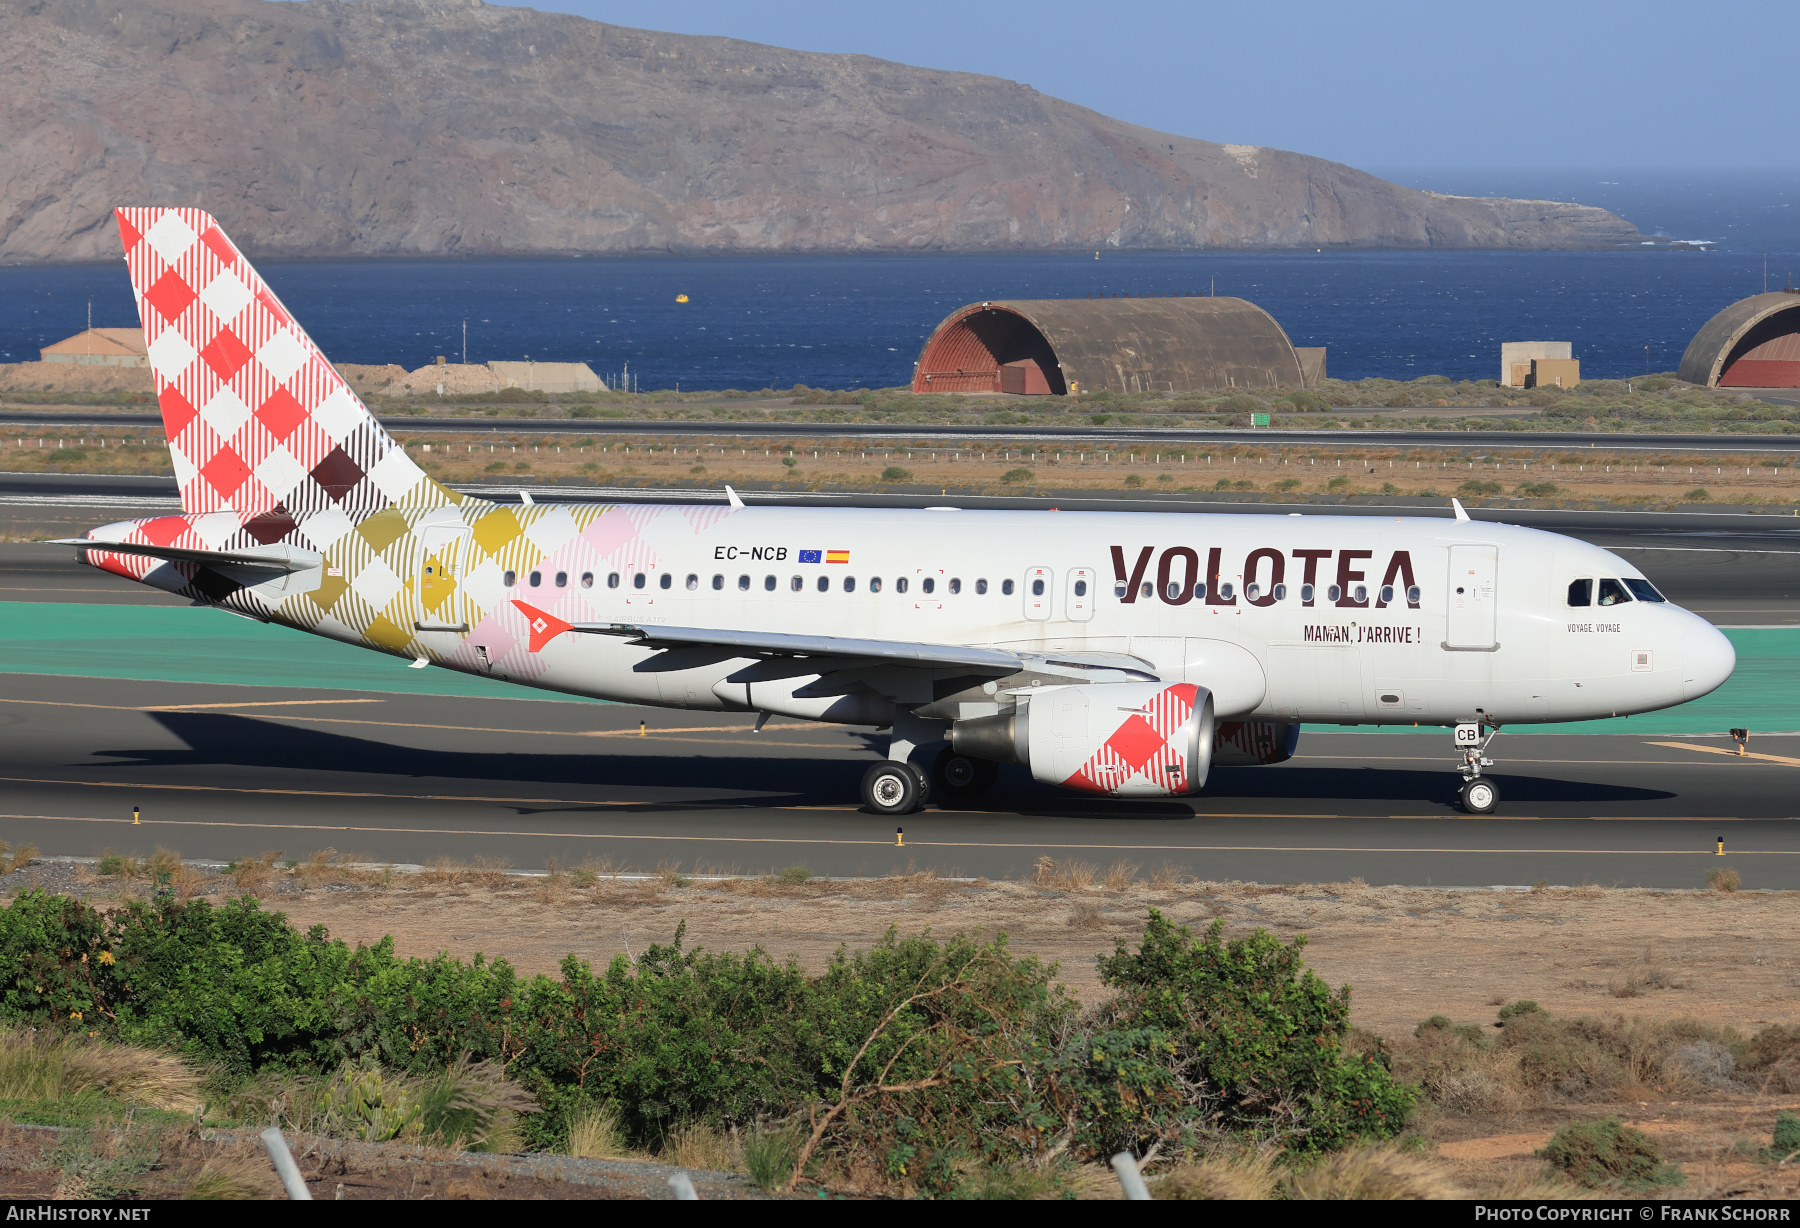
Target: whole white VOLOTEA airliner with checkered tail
{"type": "Point", "coordinates": [1120, 655]}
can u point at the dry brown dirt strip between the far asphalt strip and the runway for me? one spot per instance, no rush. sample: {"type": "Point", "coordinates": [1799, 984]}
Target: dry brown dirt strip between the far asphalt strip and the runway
{"type": "Point", "coordinates": [827, 464]}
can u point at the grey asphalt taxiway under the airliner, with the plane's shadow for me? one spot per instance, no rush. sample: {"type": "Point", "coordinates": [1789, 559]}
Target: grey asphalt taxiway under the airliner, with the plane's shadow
{"type": "Point", "coordinates": [222, 772]}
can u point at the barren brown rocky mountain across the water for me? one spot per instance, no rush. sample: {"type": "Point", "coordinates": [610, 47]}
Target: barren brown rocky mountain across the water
{"type": "Point", "coordinates": [453, 127]}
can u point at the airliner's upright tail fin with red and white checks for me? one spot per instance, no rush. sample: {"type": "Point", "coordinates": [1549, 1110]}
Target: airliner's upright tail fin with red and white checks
{"type": "Point", "coordinates": [258, 422]}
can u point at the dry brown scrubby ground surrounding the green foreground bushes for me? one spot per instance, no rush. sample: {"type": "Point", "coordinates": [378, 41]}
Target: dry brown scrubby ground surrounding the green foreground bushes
{"type": "Point", "coordinates": [1552, 1034]}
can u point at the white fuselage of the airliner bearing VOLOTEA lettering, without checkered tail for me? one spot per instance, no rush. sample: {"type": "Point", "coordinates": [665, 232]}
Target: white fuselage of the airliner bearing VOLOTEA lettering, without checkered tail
{"type": "Point", "coordinates": [1489, 631]}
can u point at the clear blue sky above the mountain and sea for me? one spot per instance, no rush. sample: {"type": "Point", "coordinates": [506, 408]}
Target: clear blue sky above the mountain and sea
{"type": "Point", "coordinates": [1533, 84]}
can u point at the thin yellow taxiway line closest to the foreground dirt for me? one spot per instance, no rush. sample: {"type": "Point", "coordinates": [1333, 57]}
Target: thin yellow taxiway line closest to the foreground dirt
{"type": "Point", "coordinates": [886, 844]}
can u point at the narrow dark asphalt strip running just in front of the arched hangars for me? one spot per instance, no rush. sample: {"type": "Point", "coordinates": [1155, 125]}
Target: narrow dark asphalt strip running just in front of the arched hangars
{"type": "Point", "coordinates": [1072, 435]}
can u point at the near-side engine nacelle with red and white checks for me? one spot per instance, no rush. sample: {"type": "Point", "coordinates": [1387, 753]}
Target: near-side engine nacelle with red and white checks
{"type": "Point", "coordinates": [1126, 739]}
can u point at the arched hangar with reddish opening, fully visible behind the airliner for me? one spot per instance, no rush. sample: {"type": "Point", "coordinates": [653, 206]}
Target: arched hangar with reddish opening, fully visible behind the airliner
{"type": "Point", "coordinates": [1059, 347]}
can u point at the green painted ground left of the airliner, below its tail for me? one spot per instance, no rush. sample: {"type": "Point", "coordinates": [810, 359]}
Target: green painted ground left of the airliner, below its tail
{"type": "Point", "coordinates": [197, 646]}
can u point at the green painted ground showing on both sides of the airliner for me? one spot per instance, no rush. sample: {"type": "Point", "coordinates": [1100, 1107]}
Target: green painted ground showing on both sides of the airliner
{"type": "Point", "coordinates": [195, 646]}
